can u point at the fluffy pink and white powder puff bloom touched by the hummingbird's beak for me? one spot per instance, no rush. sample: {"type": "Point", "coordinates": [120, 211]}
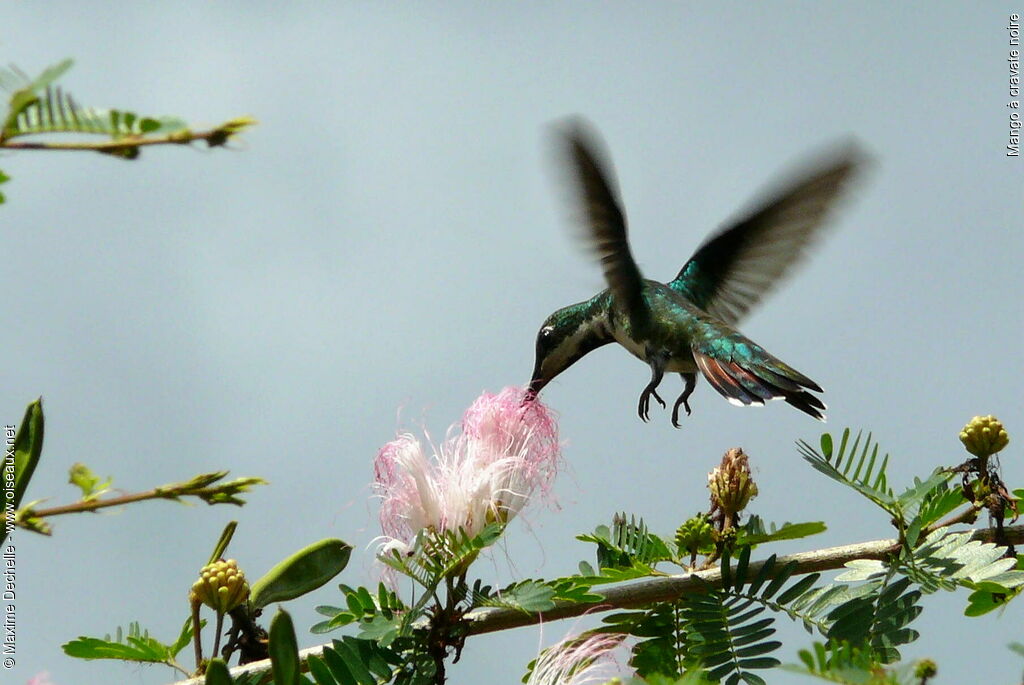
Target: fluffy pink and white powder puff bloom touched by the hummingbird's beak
{"type": "Point", "coordinates": [506, 452]}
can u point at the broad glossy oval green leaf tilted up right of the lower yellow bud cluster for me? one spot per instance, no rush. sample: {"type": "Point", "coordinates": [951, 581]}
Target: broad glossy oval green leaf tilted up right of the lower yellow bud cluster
{"type": "Point", "coordinates": [303, 573]}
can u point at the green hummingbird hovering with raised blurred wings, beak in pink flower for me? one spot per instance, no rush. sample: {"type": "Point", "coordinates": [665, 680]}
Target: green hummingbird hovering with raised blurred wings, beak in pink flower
{"type": "Point", "coordinates": [689, 325]}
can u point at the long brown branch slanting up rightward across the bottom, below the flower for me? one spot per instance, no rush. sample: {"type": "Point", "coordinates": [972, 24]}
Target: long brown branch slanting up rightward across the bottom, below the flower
{"type": "Point", "coordinates": [664, 589]}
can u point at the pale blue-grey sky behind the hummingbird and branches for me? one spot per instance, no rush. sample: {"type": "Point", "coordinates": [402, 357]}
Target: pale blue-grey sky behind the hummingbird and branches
{"type": "Point", "coordinates": [390, 239]}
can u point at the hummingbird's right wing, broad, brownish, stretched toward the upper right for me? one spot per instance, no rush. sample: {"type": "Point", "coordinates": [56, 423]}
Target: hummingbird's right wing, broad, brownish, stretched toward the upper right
{"type": "Point", "coordinates": [738, 267]}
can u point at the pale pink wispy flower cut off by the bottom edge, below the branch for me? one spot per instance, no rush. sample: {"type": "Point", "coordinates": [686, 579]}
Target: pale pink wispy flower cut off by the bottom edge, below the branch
{"type": "Point", "coordinates": [576, 661]}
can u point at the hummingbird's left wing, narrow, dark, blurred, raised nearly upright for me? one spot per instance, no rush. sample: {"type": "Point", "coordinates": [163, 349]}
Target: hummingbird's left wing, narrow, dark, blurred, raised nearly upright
{"type": "Point", "coordinates": [602, 217]}
